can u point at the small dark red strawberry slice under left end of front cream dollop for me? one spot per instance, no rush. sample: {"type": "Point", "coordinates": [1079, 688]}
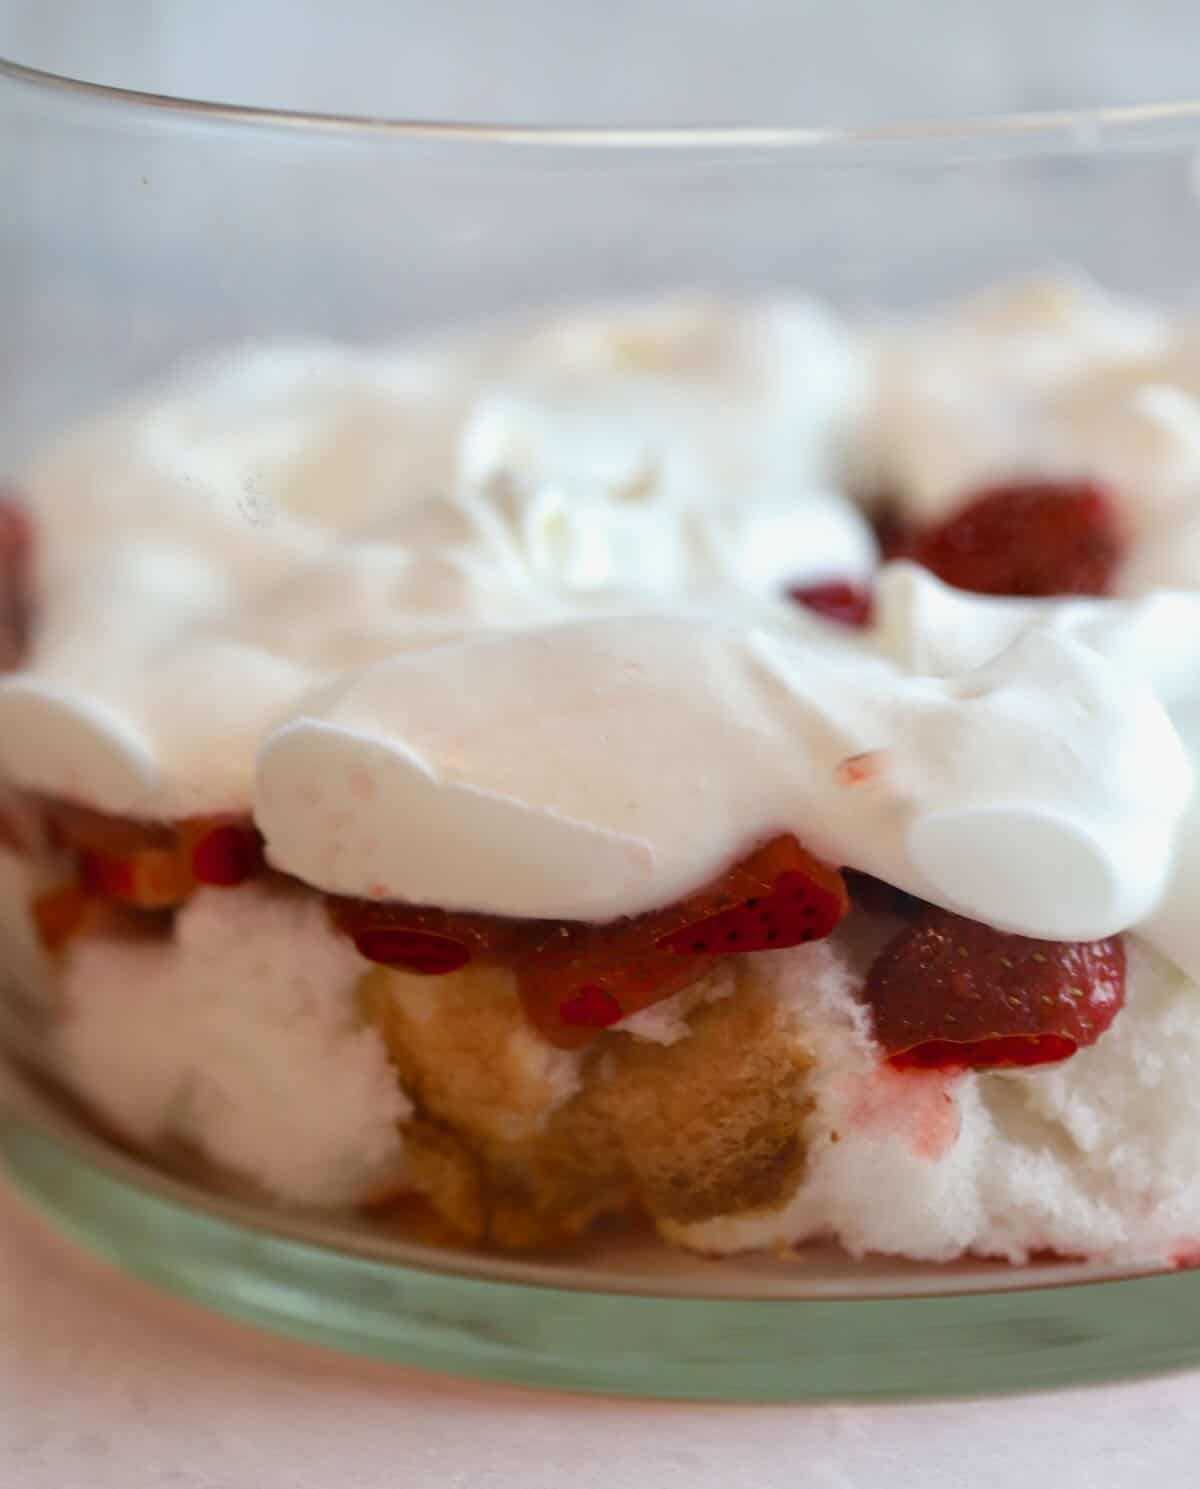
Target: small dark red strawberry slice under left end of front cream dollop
{"type": "Point", "coordinates": [422, 940]}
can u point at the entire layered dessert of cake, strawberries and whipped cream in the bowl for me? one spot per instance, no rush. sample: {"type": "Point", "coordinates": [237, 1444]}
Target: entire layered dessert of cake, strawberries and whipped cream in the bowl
{"type": "Point", "coordinates": [700, 762]}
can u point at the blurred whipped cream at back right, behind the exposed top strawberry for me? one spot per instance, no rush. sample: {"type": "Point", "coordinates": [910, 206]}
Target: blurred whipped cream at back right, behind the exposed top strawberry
{"type": "Point", "coordinates": [1049, 377]}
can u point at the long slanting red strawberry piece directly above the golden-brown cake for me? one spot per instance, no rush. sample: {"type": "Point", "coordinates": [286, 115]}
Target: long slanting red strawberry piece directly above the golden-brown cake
{"type": "Point", "coordinates": [577, 979]}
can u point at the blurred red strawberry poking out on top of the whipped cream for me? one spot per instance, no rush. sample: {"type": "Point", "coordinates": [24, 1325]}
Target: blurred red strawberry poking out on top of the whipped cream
{"type": "Point", "coordinates": [1030, 538]}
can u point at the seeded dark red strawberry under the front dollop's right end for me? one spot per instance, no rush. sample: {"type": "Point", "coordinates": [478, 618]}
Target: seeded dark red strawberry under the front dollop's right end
{"type": "Point", "coordinates": [949, 992]}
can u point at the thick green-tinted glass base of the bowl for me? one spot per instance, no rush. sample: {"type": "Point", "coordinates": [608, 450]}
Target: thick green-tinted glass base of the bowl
{"type": "Point", "coordinates": [636, 1326]}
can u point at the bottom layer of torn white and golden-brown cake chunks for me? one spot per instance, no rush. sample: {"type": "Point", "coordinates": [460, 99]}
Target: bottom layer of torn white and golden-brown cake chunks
{"type": "Point", "coordinates": [751, 1112]}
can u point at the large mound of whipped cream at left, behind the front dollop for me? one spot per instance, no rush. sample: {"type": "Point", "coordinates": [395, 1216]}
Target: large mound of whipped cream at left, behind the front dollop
{"type": "Point", "coordinates": [281, 517]}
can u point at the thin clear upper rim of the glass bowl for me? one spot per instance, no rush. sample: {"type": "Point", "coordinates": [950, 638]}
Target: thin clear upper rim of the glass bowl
{"type": "Point", "coordinates": [1034, 132]}
